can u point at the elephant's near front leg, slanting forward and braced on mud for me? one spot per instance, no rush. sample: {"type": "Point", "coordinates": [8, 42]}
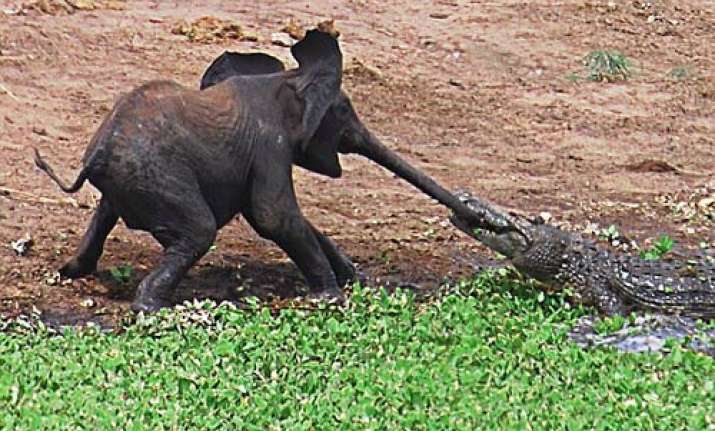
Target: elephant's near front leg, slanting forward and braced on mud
{"type": "Point", "coordinates": [273, 212]}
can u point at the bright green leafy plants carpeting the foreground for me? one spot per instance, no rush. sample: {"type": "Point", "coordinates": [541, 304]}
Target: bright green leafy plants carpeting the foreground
{"type": "Point", "coordinates": [490, 355]}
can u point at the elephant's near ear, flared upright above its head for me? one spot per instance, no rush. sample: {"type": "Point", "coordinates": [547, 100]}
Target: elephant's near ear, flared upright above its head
{"type": "Point", "coordinates": [316, 86]}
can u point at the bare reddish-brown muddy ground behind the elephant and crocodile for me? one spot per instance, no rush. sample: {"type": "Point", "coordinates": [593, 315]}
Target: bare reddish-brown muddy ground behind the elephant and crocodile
{"type": "Point", "coordinates": [487, 95]}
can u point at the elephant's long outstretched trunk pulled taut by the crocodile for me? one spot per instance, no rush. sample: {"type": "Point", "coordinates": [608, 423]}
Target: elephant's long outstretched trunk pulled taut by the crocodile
{"type": "Point", "coordinates": [366, 144]}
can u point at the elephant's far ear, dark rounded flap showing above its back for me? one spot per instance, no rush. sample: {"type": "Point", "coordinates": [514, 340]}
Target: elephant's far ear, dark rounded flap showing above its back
{"type": "Point", "coordinates": [231, 64]}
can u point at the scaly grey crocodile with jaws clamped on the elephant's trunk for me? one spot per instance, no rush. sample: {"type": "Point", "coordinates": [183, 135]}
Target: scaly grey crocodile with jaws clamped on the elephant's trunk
{"type": "Point", "coordinates": [615, 283]}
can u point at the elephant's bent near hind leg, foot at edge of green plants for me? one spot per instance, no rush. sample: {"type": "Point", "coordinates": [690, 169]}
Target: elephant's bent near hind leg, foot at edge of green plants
{"type": "Point", "coordinates": [186, 235]}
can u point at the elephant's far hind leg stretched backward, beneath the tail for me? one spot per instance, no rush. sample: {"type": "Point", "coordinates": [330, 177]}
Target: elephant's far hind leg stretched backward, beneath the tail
{"type": "Point", "coordinates": [90, 248]}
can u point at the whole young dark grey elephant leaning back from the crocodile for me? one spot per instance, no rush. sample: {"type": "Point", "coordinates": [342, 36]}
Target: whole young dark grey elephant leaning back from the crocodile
{"type": "Point", "coordinates": [181, 163]}
